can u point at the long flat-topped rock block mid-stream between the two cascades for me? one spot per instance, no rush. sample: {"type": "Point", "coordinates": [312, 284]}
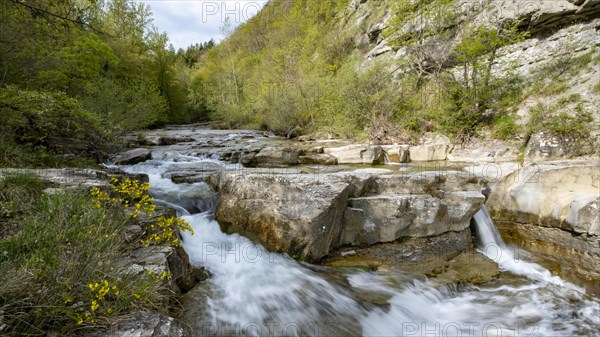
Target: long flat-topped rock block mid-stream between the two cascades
{"type": "Point", "coordinates": [309, 216]}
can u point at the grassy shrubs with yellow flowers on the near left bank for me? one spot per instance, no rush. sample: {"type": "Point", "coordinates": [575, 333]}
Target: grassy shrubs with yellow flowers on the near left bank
{"type": "Point", "coordinates": [61, 269]}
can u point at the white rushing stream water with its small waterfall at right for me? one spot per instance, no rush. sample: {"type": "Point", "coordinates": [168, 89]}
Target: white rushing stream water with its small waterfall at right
{"type": "Point", "coordinates": [257, 293]}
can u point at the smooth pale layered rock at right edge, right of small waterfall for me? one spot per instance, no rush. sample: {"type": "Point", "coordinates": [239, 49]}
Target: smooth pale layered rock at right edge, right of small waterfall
{"type": "Point", "coordinates": [553, 211]}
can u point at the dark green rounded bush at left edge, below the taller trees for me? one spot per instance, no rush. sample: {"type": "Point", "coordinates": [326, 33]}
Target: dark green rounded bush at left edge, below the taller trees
{"type": "Point", "coordinates": [48, 122]}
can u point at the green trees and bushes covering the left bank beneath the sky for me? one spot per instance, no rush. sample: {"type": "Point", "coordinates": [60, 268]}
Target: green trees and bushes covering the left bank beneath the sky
{"type": "Point", "coordinates": [74, 74]}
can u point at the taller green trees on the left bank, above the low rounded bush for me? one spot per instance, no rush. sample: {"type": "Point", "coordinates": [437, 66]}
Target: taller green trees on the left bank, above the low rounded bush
{"type": "Point", "coordinates": [103, 54]}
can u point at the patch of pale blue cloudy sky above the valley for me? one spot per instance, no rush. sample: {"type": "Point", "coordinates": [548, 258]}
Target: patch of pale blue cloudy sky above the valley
{"type": "Point", "coordinates": [192, 21]}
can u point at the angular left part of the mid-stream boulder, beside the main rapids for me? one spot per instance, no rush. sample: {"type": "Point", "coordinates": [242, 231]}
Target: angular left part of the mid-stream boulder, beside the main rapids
{"type": "Point", "coordinates": [297, 214]}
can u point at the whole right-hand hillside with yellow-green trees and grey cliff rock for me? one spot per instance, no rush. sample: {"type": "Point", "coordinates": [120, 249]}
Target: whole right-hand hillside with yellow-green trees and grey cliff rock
{"type": "Point", "coordinates": [391, 71]}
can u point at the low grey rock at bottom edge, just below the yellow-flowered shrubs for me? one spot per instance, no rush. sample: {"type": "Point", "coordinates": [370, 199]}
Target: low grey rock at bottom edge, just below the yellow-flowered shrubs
{"type": "Point", "coordinates": [144, 324]}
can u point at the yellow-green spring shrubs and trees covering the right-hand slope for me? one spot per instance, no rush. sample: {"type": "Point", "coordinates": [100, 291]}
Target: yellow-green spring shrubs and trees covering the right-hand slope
{"type": "Point", "coordinates": [304, 74]}
